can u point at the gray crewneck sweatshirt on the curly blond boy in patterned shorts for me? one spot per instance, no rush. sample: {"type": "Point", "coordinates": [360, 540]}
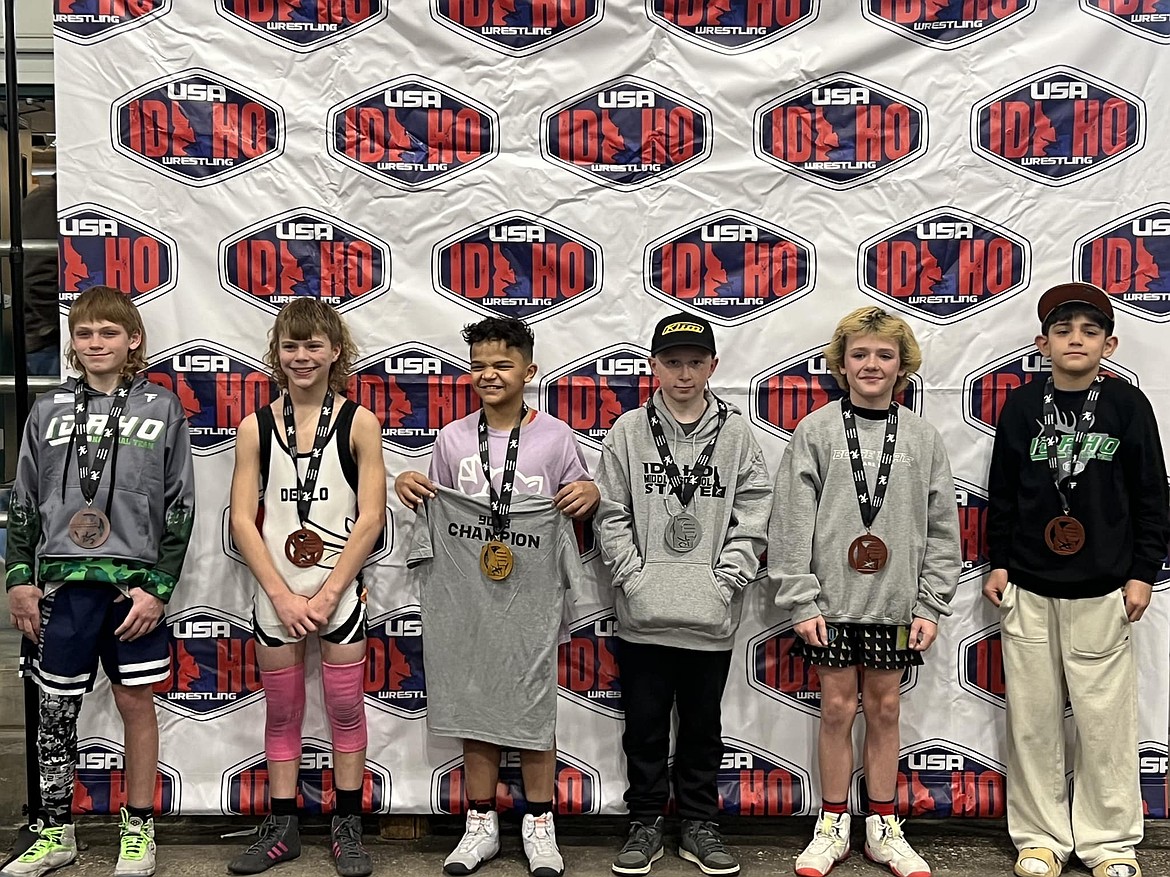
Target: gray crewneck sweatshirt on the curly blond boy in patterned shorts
{"type": "Point", "coordinates": [816, 519]}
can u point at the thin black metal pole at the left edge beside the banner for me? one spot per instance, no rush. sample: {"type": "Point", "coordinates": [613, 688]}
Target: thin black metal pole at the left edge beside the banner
{"type": "Point", "coordinates": [20, 368]}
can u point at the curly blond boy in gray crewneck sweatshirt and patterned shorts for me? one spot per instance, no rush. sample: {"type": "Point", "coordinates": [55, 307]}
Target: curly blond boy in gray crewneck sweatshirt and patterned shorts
{"type": "Point", "coordinates": [864, 550]}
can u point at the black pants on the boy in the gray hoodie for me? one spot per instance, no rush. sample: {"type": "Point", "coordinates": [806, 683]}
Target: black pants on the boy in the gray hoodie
{"type": "Point", "coordinates": [653, 680]}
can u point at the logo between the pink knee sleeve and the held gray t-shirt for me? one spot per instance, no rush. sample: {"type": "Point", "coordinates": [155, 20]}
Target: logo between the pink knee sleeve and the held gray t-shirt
{"type": "Point", "coordinates": [395, 680]}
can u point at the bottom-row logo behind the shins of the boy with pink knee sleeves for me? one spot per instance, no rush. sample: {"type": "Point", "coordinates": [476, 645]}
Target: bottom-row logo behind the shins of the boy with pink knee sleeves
{"type": "Point", "coordinates": [244, 790]}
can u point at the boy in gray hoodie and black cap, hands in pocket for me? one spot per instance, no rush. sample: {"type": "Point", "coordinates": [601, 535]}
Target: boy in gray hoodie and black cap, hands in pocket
{"type": "Point", "coordinates": [682, 526]}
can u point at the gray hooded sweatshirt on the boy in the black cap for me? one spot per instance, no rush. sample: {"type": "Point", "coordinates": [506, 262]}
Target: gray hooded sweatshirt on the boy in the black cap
{"type": "Point", "coordinates": [664, 597]}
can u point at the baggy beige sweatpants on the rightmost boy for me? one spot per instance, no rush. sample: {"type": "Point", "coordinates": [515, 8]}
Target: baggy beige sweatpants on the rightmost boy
{"type": "Point", "coordinates": [1080, 650]}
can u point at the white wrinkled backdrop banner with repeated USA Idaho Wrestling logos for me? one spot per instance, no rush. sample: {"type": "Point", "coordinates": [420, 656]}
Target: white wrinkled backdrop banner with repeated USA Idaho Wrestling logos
{"type": "Point", "coordinates": [590, 165]}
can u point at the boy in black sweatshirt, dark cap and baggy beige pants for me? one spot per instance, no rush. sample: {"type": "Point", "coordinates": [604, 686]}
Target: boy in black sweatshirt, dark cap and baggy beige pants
{"type": "Point", "coordinates": [1077, 531]}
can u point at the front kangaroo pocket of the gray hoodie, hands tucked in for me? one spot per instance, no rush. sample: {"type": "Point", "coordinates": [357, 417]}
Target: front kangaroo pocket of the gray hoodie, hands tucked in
{"type": "Point", "coordinates": [672, 596]}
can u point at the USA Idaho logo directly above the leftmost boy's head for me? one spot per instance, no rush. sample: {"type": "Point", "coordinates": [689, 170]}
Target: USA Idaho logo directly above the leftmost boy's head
{"type": "Point", "coordinates": [102, 247]}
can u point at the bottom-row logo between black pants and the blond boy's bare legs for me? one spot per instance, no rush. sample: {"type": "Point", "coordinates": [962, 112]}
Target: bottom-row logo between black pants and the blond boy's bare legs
{"type": "Point", "coordinates": [754, 783]}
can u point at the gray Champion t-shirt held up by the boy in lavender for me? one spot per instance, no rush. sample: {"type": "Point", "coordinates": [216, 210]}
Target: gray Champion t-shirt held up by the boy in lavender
{"type": "Point", "coordinates": [490, 648]}
